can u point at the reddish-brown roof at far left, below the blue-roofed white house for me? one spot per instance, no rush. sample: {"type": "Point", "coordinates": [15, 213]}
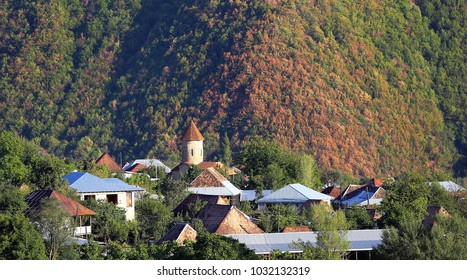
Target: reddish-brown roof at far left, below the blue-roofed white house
{"type": "Point", "coordinates": [69, 205]}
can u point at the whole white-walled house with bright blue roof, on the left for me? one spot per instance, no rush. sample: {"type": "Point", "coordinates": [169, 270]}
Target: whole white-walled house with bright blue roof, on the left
{"type": "Point", "coordinates": [112, 190]}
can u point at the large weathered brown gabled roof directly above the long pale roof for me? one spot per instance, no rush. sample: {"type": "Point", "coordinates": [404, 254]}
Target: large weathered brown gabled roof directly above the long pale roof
{"type": "Point", "coordinates": [226, 219]}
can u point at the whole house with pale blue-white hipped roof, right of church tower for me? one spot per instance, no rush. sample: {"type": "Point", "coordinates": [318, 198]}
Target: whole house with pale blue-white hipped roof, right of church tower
{"type": "Point", "coordinates": [295, 195]}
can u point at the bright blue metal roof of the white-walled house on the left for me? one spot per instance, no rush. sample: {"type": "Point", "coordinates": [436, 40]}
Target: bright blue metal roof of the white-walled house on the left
{"type": "Point", "coordinates": [84, 182]}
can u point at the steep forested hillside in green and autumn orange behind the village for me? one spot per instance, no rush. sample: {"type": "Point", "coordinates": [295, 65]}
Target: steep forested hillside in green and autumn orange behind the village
{"type": "Point", "coordinates": [365, 87]}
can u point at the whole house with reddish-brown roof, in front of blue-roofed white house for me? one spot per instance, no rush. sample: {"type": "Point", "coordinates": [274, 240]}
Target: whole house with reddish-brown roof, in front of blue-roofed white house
{"type": "Point", "coordinates": [80, 214]}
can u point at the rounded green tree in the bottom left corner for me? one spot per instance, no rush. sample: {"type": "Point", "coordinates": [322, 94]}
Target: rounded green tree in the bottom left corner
{"type": "Point", "coordinates": [19, 240]}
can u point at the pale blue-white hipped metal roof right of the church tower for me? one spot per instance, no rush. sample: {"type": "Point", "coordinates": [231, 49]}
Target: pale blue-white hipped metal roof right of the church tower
{"type": "Point", "coordinates": [294, 193]}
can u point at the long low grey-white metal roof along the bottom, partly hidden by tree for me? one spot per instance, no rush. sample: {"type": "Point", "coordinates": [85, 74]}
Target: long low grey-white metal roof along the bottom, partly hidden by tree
{"type": "Point", "coordinates": [265, 243]}
